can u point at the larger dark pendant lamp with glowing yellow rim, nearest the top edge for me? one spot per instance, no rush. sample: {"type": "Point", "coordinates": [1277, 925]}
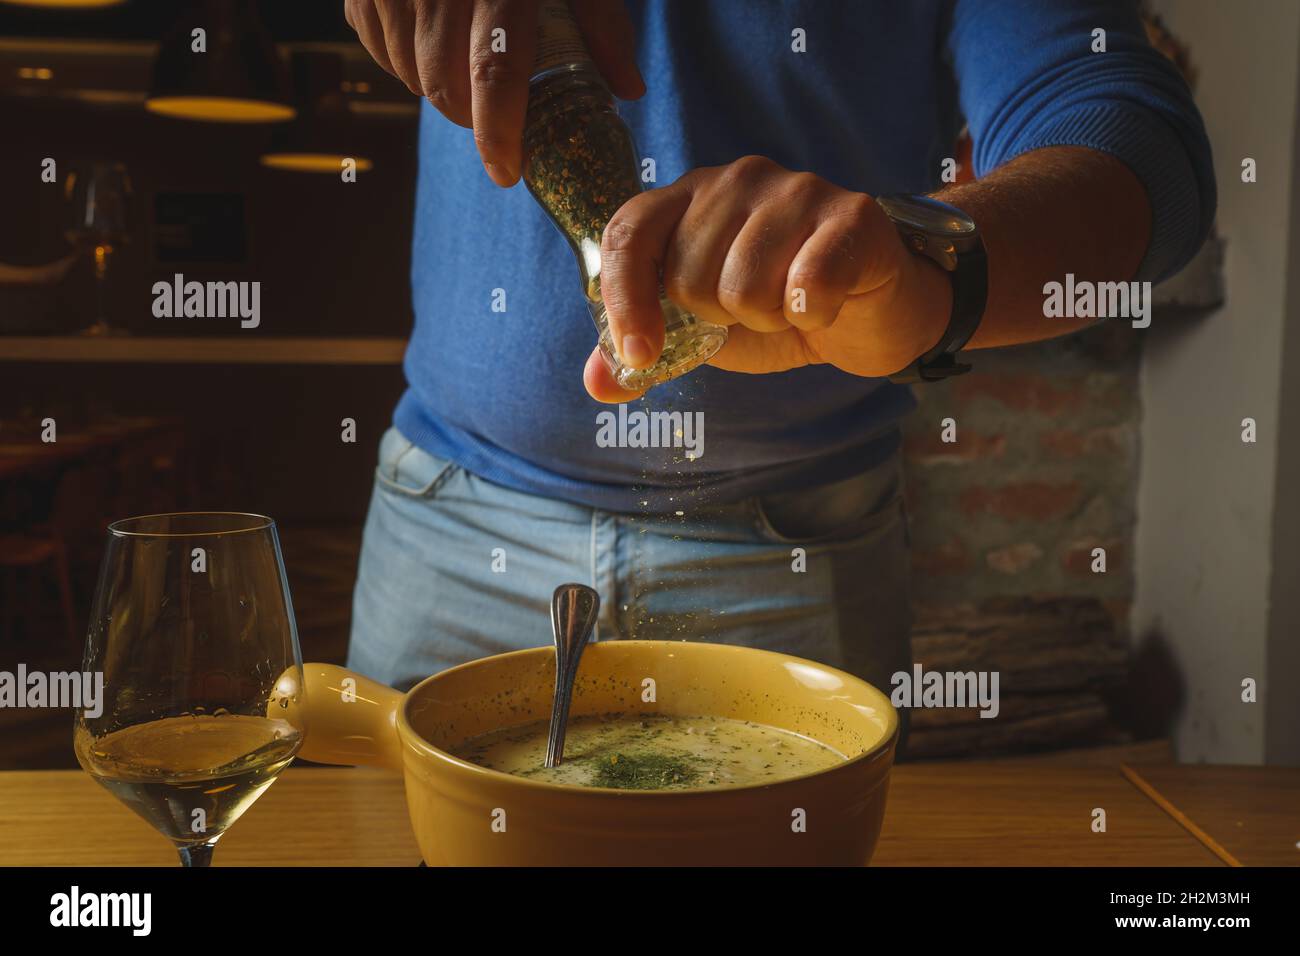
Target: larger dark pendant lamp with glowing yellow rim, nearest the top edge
{"type": "Point", "coordinates": [240, 76]}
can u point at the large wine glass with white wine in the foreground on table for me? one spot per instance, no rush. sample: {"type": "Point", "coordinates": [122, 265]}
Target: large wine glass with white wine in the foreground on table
{"type": "Point", "coordinates": [194, 633]}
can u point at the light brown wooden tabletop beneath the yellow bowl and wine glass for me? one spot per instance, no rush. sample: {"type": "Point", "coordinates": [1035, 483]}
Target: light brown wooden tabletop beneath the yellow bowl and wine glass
{"type": "Point", "coordinates": [941, 815]}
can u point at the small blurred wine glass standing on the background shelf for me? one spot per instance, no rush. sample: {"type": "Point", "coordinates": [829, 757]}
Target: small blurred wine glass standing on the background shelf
{"type": "Point", "coordinates": [98, 194]}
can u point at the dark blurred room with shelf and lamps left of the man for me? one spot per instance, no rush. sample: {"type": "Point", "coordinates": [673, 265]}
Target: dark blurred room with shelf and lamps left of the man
{"type": "Point", "coordinates": [180, 414]}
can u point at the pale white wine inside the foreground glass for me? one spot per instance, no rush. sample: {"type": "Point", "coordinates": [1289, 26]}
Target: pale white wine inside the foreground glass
{"type": "Point", "coordinates": [190, 777]}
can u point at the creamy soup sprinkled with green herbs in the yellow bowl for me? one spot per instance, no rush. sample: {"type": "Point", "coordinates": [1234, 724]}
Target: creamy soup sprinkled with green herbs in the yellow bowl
{"type": "Point", "coordinates": [653, 752]}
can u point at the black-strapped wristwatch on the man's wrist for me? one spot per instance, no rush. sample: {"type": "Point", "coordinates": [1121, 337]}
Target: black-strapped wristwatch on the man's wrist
{"type": "Point", "coordinates": [948, 237]}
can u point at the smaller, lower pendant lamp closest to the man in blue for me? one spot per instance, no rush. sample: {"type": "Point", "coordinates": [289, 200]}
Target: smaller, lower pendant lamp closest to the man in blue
{"type": "Point", "coordinates": [320, 140]}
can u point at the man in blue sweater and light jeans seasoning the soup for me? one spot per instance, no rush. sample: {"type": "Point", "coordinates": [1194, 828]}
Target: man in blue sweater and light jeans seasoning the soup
{"type": "Point", "coordinates": [774, 128]}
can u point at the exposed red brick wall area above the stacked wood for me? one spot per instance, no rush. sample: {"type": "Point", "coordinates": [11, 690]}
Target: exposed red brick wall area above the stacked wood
{"type": "Point", "coordinates": [1045, 470]}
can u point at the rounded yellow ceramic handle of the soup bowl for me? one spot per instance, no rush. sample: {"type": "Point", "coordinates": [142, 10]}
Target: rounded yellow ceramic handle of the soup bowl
{"type": "Point", "coordinates": [349, 719]}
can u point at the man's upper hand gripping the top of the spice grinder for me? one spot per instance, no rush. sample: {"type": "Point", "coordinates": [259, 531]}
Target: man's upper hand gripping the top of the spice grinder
{"type": "Point", "coordinates": [443, 50]}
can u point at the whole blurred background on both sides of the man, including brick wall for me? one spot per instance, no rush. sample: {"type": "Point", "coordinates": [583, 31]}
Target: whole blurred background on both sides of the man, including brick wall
{"type": "Point", "coordinates": [1117, 439]}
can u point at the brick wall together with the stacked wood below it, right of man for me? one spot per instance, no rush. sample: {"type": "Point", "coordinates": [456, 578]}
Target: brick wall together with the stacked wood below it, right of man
{"type": "Point", "coordinates": [1004, 521]}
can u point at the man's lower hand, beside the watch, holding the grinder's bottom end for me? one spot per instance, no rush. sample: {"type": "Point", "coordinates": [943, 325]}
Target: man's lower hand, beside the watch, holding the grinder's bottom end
{"type": "Point", "coordinates": [803, 271]}
